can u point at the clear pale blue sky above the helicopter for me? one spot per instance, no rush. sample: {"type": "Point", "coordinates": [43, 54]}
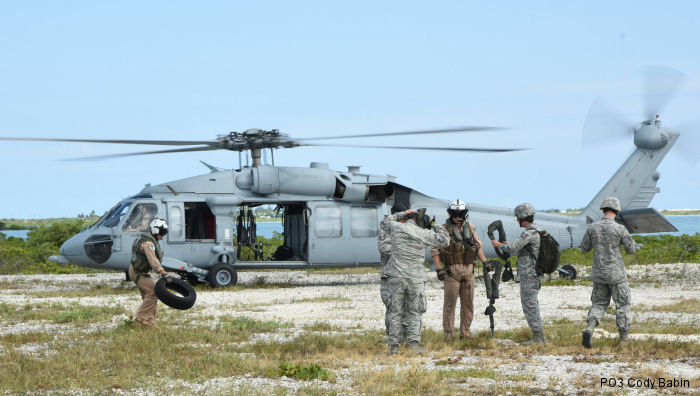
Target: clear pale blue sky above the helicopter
{"type": "Point", "coordinates": [186, 70]}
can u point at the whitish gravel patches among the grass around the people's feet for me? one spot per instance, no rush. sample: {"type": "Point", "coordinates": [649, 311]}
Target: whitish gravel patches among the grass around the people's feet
{"type": "Point", "coordinates": [351, 302]}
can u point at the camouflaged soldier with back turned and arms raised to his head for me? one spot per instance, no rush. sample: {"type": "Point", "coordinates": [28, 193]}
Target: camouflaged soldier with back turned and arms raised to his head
{"type": "Point", "coordinates": [407, 274]}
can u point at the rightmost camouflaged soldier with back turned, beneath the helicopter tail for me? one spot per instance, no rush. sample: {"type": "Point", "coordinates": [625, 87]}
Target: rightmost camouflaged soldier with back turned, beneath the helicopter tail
{"type": "Point", "coordinates": [609, 276]}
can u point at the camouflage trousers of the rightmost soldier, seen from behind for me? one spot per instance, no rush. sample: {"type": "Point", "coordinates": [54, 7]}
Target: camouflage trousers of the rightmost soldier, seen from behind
{"type": "Point", "coordinates": [600, 299]}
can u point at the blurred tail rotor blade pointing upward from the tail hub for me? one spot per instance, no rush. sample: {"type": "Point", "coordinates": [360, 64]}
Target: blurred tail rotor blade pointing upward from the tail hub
{"type": "Point", "coordinates": [660, 84]}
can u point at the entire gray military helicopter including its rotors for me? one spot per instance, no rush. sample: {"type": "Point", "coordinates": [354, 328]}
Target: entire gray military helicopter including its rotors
{"type": "Point", "coordinates": [330, 218]}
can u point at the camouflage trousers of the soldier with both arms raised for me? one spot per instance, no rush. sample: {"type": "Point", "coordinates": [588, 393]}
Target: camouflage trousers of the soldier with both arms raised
{"type": "Point", "coordinates": [407, 298]}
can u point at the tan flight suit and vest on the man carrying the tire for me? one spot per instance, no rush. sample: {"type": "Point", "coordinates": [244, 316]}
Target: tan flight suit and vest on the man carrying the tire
{"type": "Point", "coordinates": [147, 246]}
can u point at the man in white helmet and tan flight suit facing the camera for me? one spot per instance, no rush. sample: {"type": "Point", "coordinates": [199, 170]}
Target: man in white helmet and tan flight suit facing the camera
{"type": "Point", "coordinates": [458, 261]}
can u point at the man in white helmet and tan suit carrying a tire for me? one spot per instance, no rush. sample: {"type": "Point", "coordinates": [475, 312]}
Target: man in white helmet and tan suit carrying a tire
{"type": "Point", "coordinates": [146, 256]}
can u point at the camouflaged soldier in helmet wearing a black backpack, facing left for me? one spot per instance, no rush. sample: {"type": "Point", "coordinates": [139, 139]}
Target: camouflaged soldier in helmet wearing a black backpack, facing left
{"type": "Point", "coordinates": [527, 248]}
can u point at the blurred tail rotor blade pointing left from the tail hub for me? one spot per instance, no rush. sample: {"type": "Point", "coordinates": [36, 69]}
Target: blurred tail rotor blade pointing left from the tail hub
{"type": "Point", "coordinates": [602, 125]}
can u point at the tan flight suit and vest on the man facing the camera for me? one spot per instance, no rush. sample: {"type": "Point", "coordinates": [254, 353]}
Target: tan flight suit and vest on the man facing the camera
{"type": "Point", "coordinates": [459, 258]}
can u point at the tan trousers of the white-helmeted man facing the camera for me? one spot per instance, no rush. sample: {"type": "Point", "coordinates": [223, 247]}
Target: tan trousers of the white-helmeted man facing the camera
{"type": "Point", "coordinates": [459, 285]}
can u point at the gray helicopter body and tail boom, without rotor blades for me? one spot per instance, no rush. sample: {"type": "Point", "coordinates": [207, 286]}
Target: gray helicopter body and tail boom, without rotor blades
{"type": "Point", "coordinates": [331, 218]}
